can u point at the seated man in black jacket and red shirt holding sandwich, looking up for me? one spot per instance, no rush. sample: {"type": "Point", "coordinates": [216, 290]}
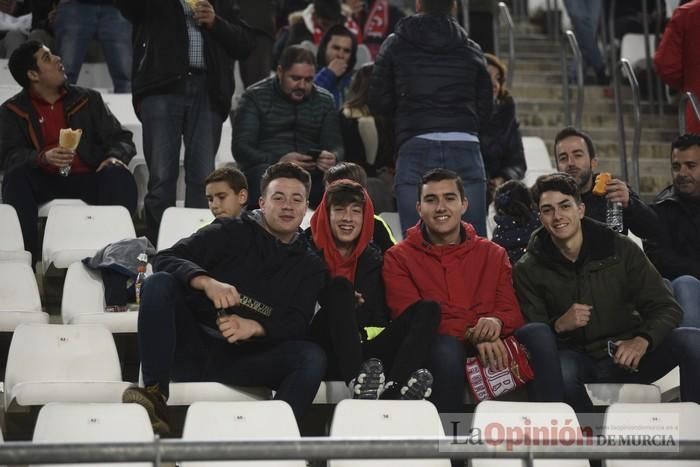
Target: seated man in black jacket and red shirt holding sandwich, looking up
{"type": "Point", "coordinates": [33, 160]}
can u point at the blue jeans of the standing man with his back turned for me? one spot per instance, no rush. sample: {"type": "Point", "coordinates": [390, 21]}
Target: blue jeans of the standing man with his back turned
{"type": "Point", "coordinates": [419, 155]}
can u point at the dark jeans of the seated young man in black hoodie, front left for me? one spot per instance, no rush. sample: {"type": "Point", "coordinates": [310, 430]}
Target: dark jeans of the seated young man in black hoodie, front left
{"type": "Point", "coordinates": [173, 346]}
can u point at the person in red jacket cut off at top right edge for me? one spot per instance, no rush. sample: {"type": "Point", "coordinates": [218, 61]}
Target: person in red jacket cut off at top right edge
{"type": "Point", "coordinates": [677, 61]}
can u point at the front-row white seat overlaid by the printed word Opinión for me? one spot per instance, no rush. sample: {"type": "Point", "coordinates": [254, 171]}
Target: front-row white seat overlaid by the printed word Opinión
{"type": "Point", "coordinates": [522, 414]}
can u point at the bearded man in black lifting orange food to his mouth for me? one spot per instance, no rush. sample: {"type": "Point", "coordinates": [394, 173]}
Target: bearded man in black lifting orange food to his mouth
{"type": "Point", "coordinates": [575, 154]}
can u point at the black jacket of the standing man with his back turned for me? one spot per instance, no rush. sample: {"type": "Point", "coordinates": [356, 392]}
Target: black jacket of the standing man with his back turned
{"type": "Point", "coordinates": [432, 78]}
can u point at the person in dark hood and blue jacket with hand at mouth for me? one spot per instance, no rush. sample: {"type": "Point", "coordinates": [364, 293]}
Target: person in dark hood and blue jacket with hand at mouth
{"type": "Point", "coordinates": [336, 62]}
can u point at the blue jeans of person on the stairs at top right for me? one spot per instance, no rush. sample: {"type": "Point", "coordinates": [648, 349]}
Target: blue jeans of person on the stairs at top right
{"type": "Point", "coordinates": [585, 18]}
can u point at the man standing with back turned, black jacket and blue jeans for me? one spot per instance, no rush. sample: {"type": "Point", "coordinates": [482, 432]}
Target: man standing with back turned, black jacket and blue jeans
{"type": "Point", "coordinates": [432, 78]}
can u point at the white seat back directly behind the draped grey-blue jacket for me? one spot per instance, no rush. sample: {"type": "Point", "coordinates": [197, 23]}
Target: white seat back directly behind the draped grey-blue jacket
{"type": "Point", "coordinates": [75, 232]}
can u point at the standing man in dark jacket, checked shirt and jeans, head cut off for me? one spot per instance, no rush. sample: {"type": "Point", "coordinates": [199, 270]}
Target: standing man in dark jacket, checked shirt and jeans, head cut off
{"type": "Point", "coordinates": [182, 86]}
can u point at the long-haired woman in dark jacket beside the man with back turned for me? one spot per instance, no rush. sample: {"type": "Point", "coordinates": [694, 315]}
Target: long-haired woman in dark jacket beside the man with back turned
{"type": "Point", "coordinates": [501, 143]}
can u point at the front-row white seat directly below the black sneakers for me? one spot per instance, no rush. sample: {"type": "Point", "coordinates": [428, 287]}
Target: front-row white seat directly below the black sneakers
{"type": "Point", "coordinates": [354, 418]}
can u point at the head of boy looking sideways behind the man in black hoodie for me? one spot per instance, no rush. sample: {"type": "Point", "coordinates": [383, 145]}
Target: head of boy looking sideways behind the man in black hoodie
{"type": "Point", "coordinates": [227, 192]}
